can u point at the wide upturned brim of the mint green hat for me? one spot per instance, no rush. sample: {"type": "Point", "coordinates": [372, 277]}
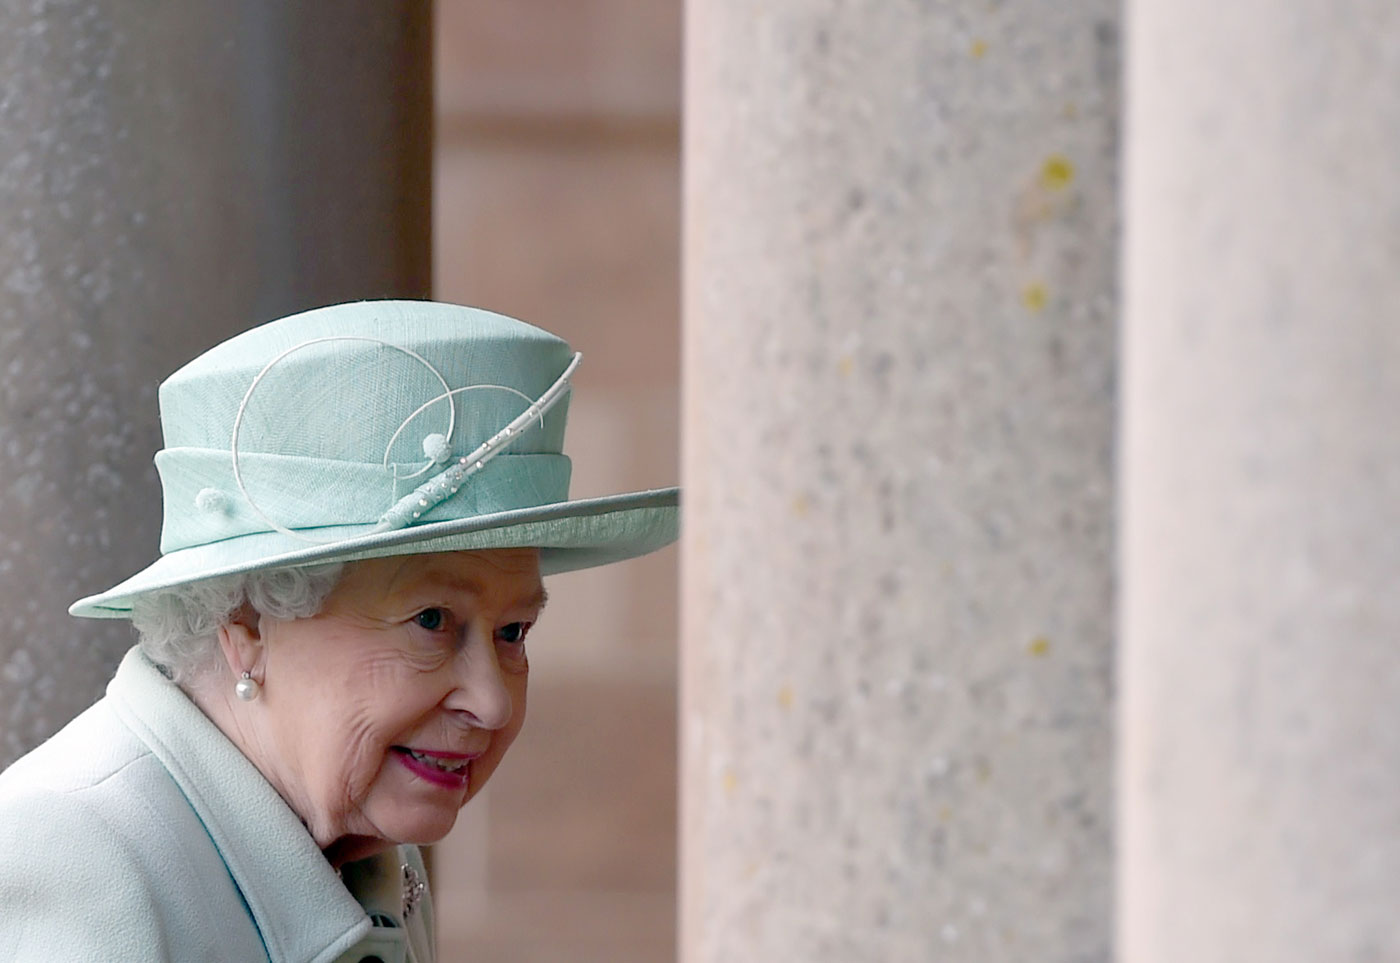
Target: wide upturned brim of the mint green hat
{"type": "Point", "coordinates": [570, 535]}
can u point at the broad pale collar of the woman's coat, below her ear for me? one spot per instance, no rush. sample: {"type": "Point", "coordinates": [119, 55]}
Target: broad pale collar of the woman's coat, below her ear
{"type": "Point", "coordinates": [299, 905]}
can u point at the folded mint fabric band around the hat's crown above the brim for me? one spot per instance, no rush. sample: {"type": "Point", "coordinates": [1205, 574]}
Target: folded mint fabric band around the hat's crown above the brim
{"type": "Point", "coordinates": [204, 502]}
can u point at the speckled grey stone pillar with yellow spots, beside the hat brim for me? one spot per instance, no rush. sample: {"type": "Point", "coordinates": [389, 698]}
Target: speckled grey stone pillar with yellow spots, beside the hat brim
{"type": "Point", "coordinates": [901, 226]}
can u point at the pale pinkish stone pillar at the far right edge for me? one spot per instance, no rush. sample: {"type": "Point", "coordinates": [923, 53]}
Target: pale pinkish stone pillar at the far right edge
{"type": "Point", "coordinates": [1261, 782]}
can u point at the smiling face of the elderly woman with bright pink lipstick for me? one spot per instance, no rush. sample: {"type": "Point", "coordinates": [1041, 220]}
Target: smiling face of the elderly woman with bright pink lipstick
{"type": "Point", "coordinates": [386, 713]}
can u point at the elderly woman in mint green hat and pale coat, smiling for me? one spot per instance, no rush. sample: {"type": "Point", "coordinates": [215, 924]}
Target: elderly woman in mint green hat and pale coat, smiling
{"type": "Point", "coordinates": [360, 503]}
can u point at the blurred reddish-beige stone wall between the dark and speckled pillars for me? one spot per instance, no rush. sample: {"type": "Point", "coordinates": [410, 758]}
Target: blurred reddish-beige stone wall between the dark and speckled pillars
{"type": "Point", "coordinates": [558, 202]}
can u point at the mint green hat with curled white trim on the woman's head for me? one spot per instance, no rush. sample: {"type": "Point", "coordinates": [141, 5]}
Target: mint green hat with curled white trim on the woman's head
{"type": "Point", "coordinates": [377, 429]}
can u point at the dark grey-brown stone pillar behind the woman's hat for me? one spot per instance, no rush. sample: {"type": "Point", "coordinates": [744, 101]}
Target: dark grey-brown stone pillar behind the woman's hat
{"type": "Point", "coordinates": [167, 180]}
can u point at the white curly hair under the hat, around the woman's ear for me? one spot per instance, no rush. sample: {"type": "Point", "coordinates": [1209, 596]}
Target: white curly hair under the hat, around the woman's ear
{"type": "Point", "coordinates": [178, 628]}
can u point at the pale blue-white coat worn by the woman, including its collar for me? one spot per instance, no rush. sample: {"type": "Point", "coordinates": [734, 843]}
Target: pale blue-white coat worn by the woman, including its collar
{"type": "Point", "coordinates": [142, 834]}
